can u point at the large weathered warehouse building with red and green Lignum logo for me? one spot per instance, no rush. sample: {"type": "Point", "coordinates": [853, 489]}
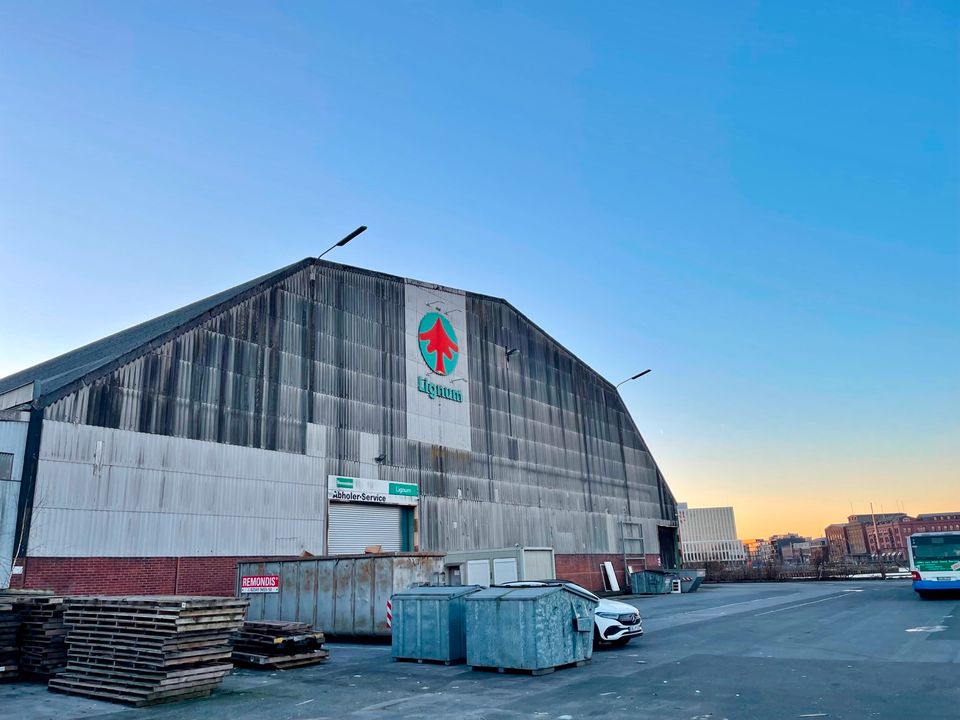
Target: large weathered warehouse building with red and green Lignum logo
{"type": "Point", "coordinates": [318, 409]}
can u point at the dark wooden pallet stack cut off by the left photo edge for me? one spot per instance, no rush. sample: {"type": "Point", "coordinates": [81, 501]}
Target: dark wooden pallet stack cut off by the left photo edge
{"type": "Point", "coordinates": [43, 652]}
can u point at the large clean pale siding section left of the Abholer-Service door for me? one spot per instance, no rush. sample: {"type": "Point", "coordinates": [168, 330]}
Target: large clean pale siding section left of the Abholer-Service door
{"type": "Point", "coordinates": [156, 495]}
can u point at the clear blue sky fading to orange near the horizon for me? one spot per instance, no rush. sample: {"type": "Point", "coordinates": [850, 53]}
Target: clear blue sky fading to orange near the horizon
{"type": "Point", "coordinates": [759, 201]}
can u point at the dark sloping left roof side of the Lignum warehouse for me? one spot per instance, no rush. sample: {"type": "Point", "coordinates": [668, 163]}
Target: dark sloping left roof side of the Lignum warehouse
{"type": "Point", "coordinates": [56, 374]}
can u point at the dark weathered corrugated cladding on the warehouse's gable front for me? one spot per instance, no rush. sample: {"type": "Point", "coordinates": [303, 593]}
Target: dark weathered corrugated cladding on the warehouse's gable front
{"type": "Point", "coordinates": [315, 365]}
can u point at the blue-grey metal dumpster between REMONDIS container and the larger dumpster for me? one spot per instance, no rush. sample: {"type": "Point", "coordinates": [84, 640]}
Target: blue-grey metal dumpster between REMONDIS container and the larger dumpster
{"type": "Point", "coordinates": [428, 623]}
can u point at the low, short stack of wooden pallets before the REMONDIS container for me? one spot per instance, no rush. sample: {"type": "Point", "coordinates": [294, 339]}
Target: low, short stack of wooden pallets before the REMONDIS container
{"type": "Point", "coordinates": [279, 645]}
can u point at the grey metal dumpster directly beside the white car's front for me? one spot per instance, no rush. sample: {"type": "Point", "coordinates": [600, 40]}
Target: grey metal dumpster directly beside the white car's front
{"type": "Point", "coordinates": [534, 629]}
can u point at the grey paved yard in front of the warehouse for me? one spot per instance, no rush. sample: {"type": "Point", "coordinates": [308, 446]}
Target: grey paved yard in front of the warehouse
{"type": "Point", "coordinates": [794, 650]}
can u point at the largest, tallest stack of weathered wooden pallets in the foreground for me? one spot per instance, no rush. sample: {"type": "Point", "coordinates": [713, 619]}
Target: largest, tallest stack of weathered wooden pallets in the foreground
{"type": "Point", "coordinates": [148, 649]}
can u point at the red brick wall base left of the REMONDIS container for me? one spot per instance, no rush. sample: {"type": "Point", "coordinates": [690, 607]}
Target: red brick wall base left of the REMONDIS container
{"type": "Point", "coordinates": [131, 576]}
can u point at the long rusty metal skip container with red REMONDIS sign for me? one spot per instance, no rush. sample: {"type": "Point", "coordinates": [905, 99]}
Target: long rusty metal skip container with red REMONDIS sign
{"type": "Point", "coordinates": [343, 595]}
